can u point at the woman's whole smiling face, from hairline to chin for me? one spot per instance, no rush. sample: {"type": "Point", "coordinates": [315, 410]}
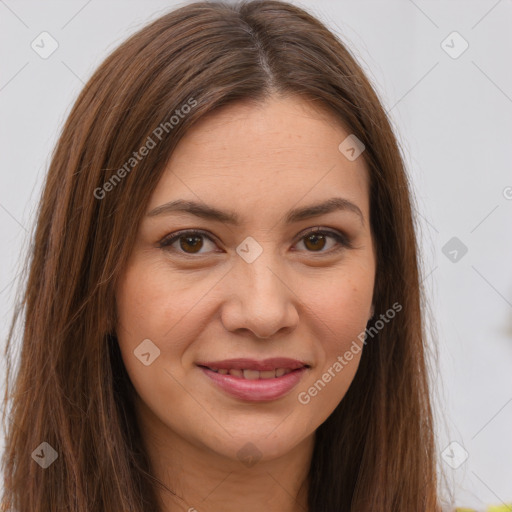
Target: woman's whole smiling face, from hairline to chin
{"type": "Point", "coordinates": [255, 285]}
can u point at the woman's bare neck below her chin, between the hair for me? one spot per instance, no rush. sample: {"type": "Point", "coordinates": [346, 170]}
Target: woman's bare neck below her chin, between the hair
{"type": "Point", "coordinates": [198, 479]}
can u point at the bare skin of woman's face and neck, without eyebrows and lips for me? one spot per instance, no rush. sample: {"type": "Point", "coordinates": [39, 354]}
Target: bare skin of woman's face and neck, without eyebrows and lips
{"type": "Point", "coordinates": [302, 300]}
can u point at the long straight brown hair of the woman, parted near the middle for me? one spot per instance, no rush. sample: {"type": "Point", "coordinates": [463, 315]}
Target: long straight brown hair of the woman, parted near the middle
{"type": "Point", "coordinates": [70, 389]}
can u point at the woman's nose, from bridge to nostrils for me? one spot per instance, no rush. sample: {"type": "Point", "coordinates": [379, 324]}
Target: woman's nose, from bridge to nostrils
{"type": "Point", "coordinates": [262, 300]}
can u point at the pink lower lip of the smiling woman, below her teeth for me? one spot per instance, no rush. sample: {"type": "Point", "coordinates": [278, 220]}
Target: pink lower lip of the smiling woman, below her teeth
{"type": "Point", "coordinates": [257, 390]}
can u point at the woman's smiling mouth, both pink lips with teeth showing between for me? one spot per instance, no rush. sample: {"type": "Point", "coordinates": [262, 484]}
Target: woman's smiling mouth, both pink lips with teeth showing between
{"type": "Point", "coordinates": [257, 381]}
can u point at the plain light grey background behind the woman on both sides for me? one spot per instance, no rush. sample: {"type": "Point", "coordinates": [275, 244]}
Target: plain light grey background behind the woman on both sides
{"type": "Point", "coordinates": [453, 117]}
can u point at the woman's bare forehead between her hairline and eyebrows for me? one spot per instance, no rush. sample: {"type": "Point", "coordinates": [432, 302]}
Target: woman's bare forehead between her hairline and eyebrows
{"type": "Point", "coordinates": [264, 157]}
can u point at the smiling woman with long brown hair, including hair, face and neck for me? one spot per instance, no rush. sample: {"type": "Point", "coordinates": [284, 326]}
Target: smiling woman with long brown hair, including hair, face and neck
{"type": "Point", "coordinates": [223, 306]}
